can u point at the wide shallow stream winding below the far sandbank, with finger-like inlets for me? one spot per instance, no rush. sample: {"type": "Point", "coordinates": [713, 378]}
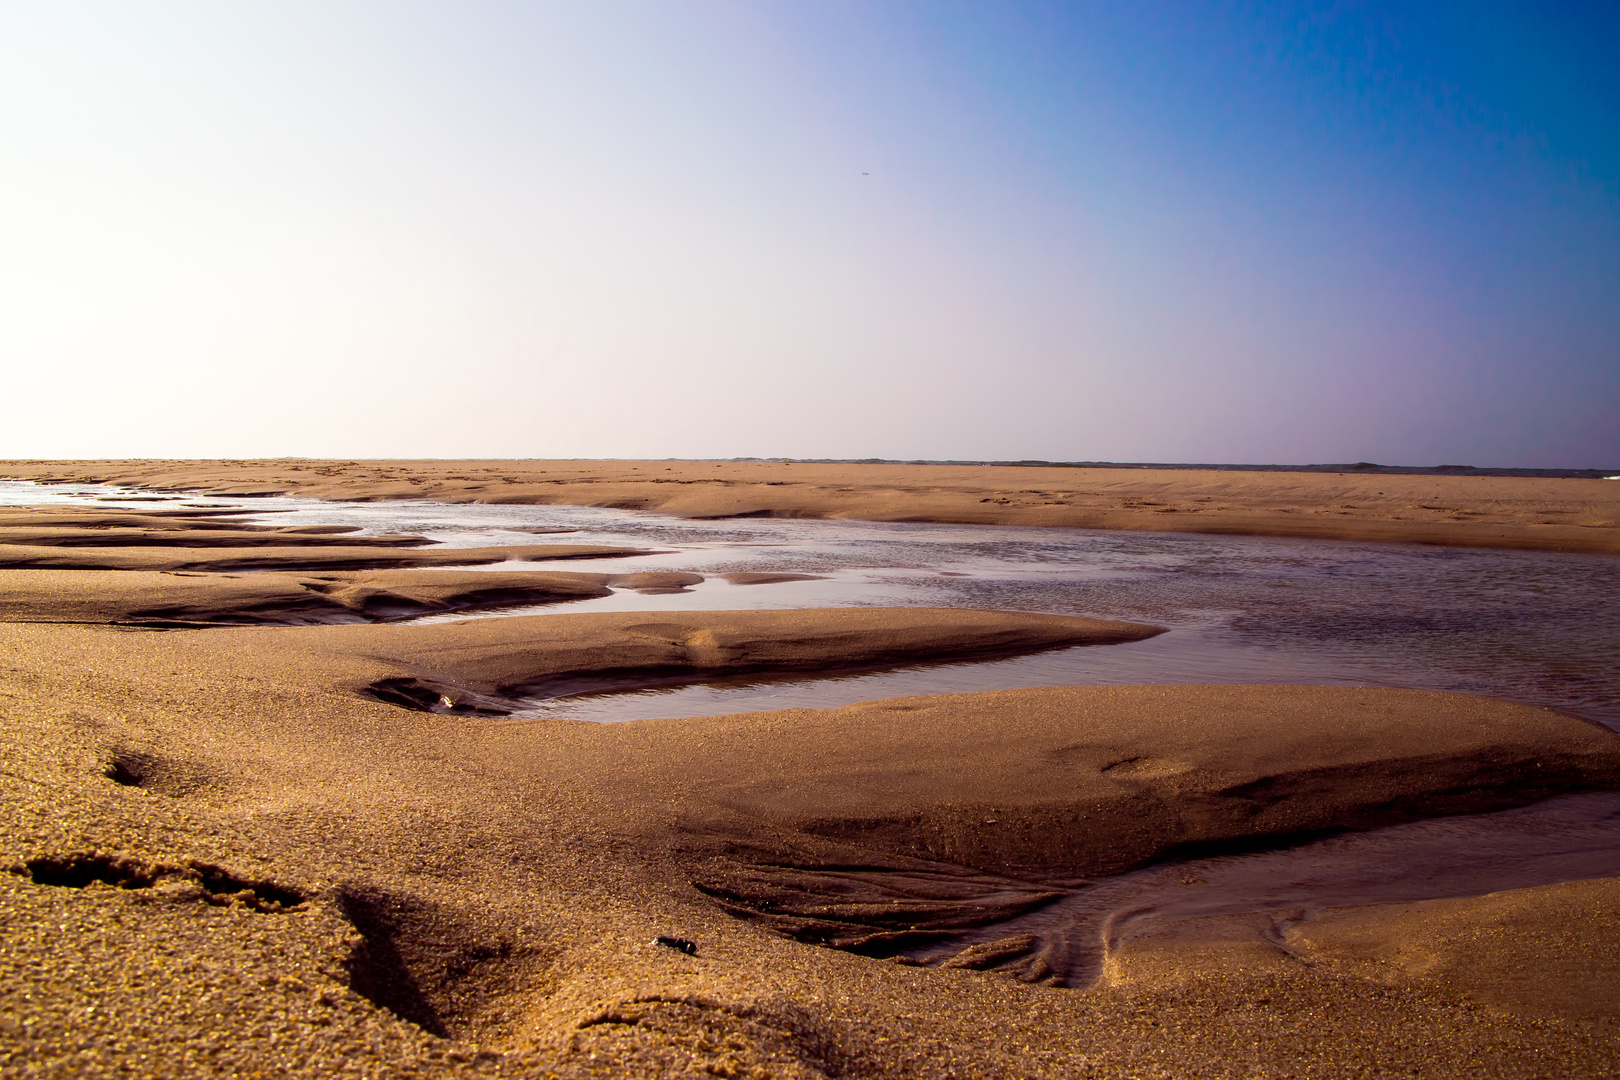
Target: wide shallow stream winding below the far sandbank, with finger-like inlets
{"type": "Point", "coordinates": [1537, 627]}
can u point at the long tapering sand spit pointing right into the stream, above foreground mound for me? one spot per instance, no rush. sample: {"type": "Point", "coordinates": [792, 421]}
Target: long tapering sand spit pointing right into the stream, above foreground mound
{"type": "Point", "coordinates": [492, 663]}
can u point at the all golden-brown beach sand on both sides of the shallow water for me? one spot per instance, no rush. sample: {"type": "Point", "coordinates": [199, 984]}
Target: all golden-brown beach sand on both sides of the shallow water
{"type": "Point", "coordinates": [250, 848]}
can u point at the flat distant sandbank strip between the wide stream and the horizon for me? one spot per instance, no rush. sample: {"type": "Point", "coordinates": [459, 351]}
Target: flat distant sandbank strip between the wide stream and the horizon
{"type": "Point", "coordinates": [1464, 511]}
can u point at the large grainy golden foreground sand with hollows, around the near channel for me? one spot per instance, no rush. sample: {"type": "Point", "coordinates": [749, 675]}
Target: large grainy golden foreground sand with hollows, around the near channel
{"type": "Point", "coordinates": [224, 861]}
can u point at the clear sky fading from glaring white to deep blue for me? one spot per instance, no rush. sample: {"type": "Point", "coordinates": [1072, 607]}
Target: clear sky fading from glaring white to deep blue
{"type": "Point", "coordinates": [997, 231]}
